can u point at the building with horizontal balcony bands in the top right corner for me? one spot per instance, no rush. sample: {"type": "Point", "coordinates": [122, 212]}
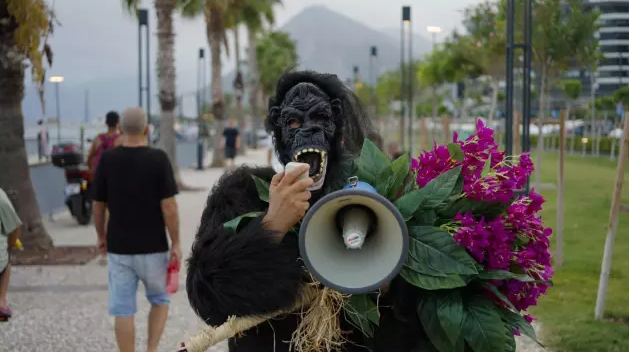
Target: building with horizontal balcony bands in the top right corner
{"type": "Point", "coordinates": [613, 71]}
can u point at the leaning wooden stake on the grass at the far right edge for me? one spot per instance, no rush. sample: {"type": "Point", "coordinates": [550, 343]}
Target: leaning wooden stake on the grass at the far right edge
{"type": "Point", "coordinates": [613, 222]}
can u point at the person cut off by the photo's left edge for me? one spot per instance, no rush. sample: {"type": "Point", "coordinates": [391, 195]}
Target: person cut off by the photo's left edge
{"type": "Point", "coordinates": [9, 232]}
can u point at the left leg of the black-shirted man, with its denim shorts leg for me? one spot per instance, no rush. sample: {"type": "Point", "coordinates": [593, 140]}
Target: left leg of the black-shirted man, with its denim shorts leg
{"type": "Point", "coordinates": [123, 287]}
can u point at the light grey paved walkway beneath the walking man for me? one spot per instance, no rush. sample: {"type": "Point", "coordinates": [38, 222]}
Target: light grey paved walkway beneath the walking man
{"type": "Point", "coordinates": [64, 308]}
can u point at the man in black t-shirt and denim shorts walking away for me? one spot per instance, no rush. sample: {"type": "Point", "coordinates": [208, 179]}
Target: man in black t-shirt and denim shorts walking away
{"type": "Point", "coordinates": [136, 183]}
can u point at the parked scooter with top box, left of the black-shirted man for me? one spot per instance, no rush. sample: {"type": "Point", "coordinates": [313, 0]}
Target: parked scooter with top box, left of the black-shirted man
{"type": "Point", "coordinates": [78, 178]}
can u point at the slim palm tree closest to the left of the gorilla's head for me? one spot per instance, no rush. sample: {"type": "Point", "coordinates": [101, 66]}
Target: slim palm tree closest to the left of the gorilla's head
{"type": "Point", "coordinates": [254, 14]}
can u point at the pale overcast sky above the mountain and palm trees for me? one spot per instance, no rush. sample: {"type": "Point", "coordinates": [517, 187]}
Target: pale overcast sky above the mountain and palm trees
{"type": "Point", "coordinates": [97, 39]}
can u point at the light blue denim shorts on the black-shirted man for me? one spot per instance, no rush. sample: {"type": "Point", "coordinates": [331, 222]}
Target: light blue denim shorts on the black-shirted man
{"type": "Point", "coordinates": [125, 270]}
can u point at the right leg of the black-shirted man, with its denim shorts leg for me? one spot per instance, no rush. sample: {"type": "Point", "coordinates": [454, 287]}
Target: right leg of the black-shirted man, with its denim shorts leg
{"type": "Point", "coordinates": [153, 276]}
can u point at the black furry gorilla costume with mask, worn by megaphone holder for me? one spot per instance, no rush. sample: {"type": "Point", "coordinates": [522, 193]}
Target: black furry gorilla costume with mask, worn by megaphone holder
{"type": "Point", "coordinates": [315, 119]}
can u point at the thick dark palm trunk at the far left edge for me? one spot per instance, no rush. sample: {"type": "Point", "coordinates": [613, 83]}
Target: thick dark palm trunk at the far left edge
{"type": "Point", "coordinates": [15, 176]}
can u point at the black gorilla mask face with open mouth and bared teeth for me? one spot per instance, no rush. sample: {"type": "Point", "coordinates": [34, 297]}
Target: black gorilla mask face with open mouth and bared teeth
{"type": "Point", "coordinates": [307, 119]}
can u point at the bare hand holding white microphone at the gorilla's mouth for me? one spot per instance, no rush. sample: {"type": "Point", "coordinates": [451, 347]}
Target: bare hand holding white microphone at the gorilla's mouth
{"type": "Point", "coordinates": [288, 199]}
